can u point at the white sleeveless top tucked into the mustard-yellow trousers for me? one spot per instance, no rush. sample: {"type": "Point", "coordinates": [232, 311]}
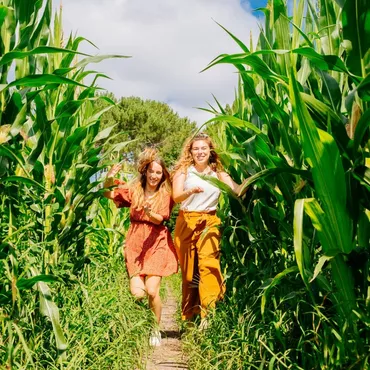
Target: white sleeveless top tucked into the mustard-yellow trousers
{"type": "Point", "coordinates": [200, 202]}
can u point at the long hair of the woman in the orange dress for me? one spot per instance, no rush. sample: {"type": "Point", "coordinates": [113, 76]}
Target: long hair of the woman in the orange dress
{"type": "Point", "coordinates": [137, 186]}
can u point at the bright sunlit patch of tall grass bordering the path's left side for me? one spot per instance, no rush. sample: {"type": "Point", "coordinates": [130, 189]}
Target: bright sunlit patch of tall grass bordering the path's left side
{"type": "Point", "coordinates": [106, 327]}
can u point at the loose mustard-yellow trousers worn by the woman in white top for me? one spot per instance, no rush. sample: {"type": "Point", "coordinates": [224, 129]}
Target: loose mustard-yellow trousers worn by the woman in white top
{"type": "Point", "coordinates": [197, 239]}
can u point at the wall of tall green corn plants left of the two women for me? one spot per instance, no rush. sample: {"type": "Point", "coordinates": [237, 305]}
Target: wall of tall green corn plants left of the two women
{"type": "Point", "coordinates": [50, 147]}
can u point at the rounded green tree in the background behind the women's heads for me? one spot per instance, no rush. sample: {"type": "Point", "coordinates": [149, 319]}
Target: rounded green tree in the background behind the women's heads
{"type": "Point", "coordinates": [147, 123]}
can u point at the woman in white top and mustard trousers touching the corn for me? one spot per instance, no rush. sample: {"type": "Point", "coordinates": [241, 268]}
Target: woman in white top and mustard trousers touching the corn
{"type": "Point", "coordinates": [197, 232]}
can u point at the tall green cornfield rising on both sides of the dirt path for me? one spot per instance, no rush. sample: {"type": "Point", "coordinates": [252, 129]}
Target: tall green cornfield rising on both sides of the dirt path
{"type": "Point", "coordinates": [295, 244]}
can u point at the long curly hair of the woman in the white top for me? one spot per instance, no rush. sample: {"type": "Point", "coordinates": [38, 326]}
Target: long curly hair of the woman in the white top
{"type": "Point", "coordinates": [186, 157]}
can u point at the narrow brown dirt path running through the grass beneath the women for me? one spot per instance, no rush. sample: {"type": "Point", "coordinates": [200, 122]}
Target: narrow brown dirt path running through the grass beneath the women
{"type": "Point", "coordinates": [169, 355]}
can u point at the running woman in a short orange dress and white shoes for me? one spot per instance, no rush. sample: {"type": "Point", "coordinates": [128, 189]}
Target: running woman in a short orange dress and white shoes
{"type": "Point", "coordinates": [149, 249]}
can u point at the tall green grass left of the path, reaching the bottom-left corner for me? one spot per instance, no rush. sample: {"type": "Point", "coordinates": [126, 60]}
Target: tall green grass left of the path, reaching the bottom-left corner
{"type": "Point", "coordinates": [104, 326]}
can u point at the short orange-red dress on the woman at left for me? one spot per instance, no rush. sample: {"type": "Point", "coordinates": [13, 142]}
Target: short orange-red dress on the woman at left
{"type": "Point", "coordinates": [149, 248]}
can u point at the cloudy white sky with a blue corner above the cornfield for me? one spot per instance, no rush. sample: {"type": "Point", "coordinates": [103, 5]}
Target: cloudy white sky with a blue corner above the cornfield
{"type": "Point", "coordinates": [170, 43]}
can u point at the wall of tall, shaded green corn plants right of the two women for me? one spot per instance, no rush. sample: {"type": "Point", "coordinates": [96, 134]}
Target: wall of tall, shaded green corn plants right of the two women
{"type": "Point", "coordinates": [299, 128]}
